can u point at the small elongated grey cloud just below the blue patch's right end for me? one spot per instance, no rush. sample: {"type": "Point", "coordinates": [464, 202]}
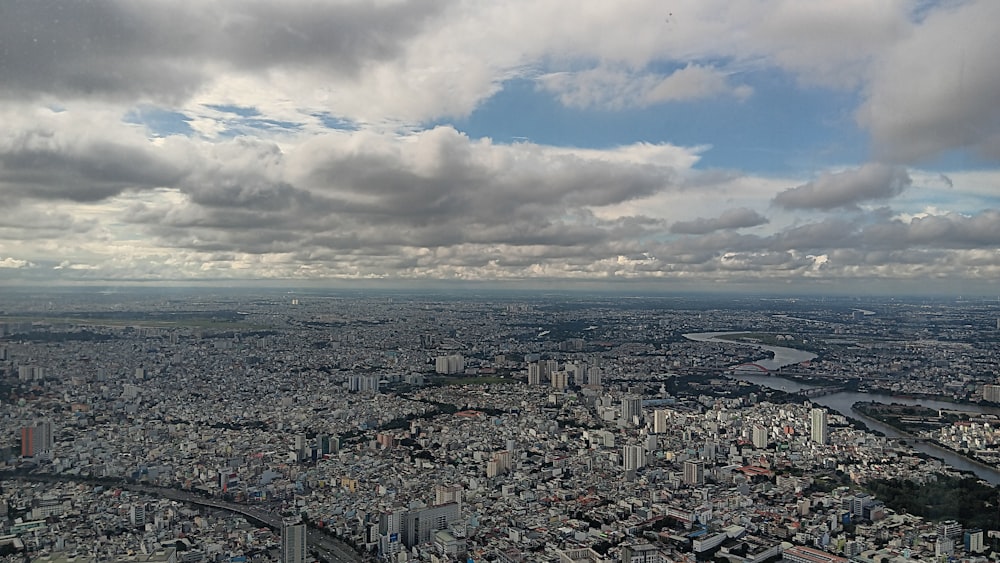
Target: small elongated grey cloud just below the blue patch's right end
{"type": "Point", "coordinates": [846, 189]}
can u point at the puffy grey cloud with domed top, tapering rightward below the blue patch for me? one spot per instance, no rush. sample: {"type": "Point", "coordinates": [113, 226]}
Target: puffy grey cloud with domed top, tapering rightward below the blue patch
{"type": "Point", "coordinates": [457, 184]}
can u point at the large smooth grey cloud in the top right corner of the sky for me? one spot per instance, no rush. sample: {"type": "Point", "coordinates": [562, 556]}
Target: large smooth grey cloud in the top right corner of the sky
{"type": "Point", "coordinates": [936, 89]}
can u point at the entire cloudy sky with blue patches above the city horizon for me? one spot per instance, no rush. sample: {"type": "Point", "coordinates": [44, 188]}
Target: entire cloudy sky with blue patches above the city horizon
{"type": "Point", "coordinates": [760, 145]}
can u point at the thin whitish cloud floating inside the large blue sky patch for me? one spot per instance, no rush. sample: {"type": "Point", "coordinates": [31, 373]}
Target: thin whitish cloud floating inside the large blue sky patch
{"type": "Point", "coordinates": [603, 87]}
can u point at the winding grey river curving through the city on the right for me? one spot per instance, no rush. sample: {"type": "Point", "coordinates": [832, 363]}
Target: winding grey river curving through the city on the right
{"type": "Point", "coordinates": [843, 402]}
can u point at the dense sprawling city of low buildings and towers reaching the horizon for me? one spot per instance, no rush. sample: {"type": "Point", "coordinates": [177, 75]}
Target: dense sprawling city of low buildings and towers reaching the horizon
{"type": "Point", "coordinates": [503, 426]}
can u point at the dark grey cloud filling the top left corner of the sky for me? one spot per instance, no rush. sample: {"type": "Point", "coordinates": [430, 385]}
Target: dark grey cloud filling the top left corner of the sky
{"type": "Point", "coordinates": [165, 50]}
